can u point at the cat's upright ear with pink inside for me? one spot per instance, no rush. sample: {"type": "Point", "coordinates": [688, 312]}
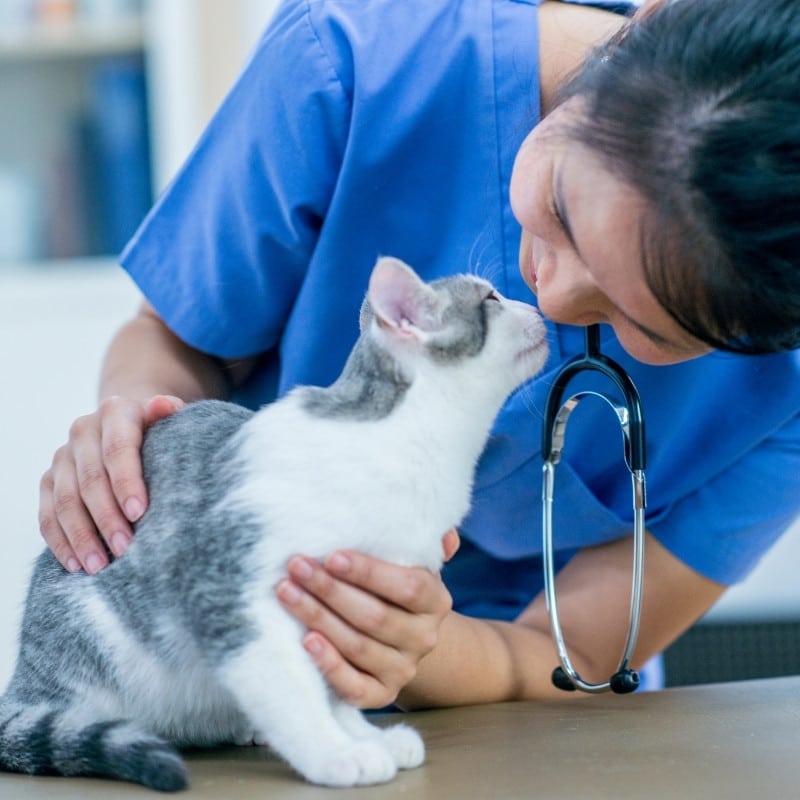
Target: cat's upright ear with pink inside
{"type": "Point", "coordinates": [401, 300]}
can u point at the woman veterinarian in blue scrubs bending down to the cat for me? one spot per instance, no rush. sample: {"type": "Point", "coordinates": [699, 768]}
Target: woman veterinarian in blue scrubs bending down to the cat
{"type": "Point", "coordinates": [660, 196]}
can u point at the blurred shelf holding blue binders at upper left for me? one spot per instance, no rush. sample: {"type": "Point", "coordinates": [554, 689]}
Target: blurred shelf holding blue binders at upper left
{"type": "Point", "coordinates": [75, 163]}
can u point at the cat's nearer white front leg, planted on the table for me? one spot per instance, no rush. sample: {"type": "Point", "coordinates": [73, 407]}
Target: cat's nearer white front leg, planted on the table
{"type": "Point", "coordinates": [286, 700]}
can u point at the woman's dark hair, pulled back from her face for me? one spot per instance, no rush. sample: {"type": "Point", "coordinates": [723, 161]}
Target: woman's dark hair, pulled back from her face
{"type": "Point", "coordinates": [697, 106]}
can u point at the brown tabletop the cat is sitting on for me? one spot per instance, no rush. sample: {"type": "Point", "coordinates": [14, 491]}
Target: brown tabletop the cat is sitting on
{"type": "Point", "coordinates": [734, 740]}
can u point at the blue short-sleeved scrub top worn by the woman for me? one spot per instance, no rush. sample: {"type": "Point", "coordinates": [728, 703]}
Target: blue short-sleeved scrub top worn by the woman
{"type": "Point", "coordinates": [368, 127]}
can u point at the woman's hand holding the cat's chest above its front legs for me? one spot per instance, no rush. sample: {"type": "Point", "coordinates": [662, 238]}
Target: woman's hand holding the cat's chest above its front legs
{"type": "Point", "coordinates": [369, 622]}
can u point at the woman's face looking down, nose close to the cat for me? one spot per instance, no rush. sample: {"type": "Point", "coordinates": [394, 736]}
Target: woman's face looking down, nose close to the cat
{"type": "Point", "coordinates": [580, 250]}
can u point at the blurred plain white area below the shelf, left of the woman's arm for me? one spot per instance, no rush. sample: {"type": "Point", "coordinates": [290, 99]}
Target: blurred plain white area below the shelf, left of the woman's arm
{"type": "Point", "coordinates": [55, 323]}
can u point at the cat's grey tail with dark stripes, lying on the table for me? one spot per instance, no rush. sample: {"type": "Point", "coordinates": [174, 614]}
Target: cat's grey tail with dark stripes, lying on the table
{"type": "Point", "coordinates": [46, 740]}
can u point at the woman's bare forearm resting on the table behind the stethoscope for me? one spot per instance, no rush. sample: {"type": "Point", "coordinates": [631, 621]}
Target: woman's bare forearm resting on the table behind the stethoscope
{"type": "Point", "coordinates": [477, 661]}
